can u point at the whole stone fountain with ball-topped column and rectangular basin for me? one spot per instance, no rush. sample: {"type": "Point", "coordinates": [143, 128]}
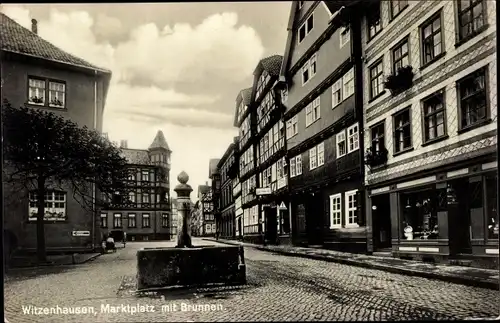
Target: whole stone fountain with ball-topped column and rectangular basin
{"type": "Point", "coordinates": [187, 265]}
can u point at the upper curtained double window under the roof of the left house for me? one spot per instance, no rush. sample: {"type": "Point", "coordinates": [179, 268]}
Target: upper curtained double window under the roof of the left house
{"type": "Point", "coordinates": [39, 89]}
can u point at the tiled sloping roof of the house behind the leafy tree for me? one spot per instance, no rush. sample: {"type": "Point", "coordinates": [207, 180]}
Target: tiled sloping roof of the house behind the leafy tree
{"type": "Point", "coordinates": [17, 39]}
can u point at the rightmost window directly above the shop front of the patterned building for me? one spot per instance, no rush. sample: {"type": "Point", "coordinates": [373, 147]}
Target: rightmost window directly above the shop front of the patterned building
{"type": "Point", "coordinates": [472, 99]}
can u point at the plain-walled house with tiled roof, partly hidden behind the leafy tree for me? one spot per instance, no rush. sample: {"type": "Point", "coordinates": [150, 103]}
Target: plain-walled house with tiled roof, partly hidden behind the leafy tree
{"type": "Point", "coordinates": [38, 75]}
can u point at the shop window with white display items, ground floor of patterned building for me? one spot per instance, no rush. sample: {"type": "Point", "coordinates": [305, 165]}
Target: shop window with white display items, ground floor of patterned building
{"type": "Point", "coordinates": [419, 218]}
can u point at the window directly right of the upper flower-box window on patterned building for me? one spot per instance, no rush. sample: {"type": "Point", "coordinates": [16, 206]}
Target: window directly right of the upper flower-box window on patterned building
{"type": "Point", "coordinates": [432, 39]}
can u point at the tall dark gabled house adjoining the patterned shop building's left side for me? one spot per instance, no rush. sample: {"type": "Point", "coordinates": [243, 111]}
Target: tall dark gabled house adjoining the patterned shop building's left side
{"type": "Point", "coordinates": [322, 93]}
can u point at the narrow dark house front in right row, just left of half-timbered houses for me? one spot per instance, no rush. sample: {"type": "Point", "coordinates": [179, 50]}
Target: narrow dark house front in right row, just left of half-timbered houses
{"type": "Point", "coordinates": [228, 170]}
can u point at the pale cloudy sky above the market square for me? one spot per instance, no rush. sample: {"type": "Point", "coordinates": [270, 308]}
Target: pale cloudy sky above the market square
{"type": "Point", "coordinates": [177, 67]}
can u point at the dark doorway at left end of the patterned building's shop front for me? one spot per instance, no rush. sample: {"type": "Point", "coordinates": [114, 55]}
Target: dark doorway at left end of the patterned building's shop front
{"type": "Point", "coordinates": [381, 218]}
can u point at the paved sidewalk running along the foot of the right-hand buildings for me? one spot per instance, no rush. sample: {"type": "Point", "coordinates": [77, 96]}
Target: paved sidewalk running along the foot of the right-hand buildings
{"type": "Point", "coordinates": [485, 278]}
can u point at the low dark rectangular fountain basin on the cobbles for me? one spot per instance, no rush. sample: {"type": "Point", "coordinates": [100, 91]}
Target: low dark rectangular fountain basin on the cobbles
{"type": "Point", "coordinates": [187, 267]}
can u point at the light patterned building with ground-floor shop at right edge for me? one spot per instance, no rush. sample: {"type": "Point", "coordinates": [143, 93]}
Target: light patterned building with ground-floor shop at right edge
{"type": "Point", "coordinates": [431, 129]}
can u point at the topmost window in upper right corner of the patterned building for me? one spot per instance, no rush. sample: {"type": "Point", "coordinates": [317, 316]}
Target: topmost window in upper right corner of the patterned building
{"type": "Point", "coordinates": [471, 17]}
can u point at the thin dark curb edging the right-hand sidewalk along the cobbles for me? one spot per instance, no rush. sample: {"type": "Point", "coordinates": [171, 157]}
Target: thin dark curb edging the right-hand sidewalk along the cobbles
{"type": "Point", "coordinates": [489, 284]}
